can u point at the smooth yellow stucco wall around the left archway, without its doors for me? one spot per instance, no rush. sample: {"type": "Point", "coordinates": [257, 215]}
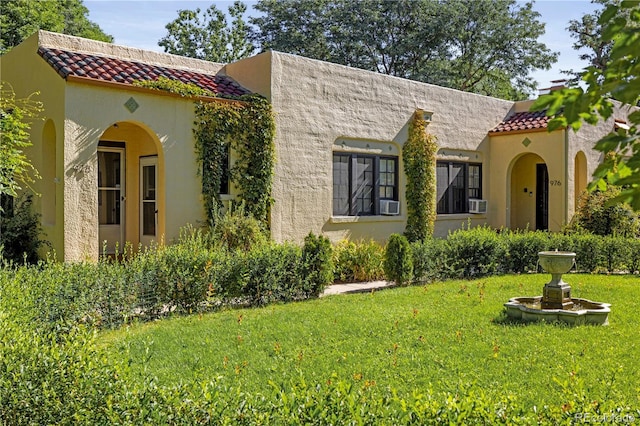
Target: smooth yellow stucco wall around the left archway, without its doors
{"type": "Point", "coordinates": [165, 121]}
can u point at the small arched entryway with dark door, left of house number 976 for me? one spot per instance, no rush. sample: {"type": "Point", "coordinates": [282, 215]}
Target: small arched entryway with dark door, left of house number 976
{"type": "Point", "coordinates": [529, 182]}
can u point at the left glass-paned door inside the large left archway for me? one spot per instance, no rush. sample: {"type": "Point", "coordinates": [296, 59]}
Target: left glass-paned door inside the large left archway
{"type": "Point", "coordinates": [111, 190]}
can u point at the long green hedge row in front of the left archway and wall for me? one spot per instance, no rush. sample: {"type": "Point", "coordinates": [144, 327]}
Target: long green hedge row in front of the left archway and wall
{"type": "Point", "coordinates": [186, 277]}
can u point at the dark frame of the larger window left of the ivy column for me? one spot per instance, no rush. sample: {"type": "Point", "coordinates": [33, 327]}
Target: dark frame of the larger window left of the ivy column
{"type": "Point", "coordinates": [354, 192]}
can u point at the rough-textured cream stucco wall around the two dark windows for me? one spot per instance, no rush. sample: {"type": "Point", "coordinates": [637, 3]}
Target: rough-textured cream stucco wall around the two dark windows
{"type": "Point", "coordinates": [319, 105]}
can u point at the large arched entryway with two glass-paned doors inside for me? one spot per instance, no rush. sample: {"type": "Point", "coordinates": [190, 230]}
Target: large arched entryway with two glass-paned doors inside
{"type": "Point", "coordinates": [130, 182]}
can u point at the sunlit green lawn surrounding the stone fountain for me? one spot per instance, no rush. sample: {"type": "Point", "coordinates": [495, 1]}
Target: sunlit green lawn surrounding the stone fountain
{"type": "Point", "coordinates": [439, 337]}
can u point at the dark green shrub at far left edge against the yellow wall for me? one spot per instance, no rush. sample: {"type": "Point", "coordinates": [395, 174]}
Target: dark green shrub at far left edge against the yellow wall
{"type": "Point", "coordinates": [20, 230]}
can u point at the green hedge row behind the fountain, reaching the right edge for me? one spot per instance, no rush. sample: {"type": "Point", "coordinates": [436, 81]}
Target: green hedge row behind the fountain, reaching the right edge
{"type": "Point", "coordinates": [482, 251]}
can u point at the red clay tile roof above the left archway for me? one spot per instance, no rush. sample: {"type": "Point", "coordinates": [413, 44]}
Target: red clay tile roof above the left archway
{"type": "Point", "coordinates": [120, 71]}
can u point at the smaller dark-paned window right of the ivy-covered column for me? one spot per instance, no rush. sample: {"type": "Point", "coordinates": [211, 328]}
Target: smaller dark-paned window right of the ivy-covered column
{"type": "Point", "coordinates": [457, 182]}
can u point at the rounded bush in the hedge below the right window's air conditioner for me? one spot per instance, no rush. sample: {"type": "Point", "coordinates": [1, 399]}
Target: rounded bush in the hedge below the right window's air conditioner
{"type": "Point", "coordinates": [475, 252]}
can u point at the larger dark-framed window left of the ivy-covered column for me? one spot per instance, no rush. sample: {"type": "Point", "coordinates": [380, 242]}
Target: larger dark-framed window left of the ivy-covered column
{"type": "Point", "coordinates": [361, 181]}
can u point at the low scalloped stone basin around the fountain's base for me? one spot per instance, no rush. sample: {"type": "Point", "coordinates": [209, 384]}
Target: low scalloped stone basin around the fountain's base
{"type": "Point", "coordinates": [583, 311]}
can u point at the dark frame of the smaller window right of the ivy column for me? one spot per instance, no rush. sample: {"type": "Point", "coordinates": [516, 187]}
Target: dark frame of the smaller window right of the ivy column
{"type": "Point", "coordinates": [468, 190]}
